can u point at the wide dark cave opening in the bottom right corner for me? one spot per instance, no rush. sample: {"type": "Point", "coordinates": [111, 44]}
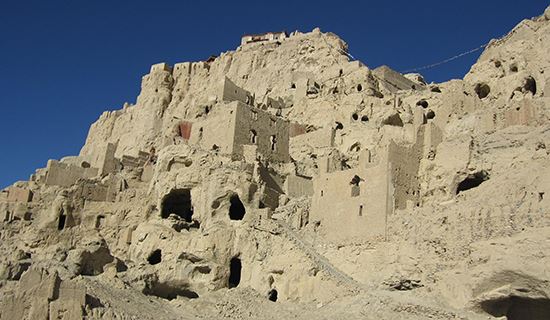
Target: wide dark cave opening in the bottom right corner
{"type": "Point", "coordinates": [518, 308]}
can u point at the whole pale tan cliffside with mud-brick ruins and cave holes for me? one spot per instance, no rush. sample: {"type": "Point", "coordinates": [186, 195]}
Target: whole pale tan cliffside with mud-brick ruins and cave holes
{"type": "Point", "coordinates": [286, 180]}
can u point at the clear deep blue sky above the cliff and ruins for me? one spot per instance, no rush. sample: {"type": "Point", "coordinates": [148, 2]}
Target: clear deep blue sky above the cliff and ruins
{"type": "Point", "coordinates": [62, 63]}
